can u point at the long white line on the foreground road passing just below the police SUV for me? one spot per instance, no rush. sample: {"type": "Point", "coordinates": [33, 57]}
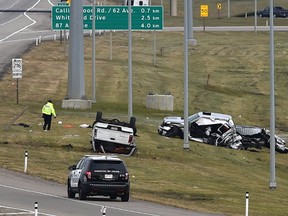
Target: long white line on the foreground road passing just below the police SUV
{"type": "Point", "coordinates": [79, 201]}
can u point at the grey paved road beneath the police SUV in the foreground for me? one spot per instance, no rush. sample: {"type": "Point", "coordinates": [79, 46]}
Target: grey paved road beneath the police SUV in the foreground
{"type": "Point", "coordinates": [21, 191]}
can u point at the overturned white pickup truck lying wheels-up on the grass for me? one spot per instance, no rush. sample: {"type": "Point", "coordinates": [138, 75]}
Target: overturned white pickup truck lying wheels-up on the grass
{"type": "Point", "coordinates": [113, 136]}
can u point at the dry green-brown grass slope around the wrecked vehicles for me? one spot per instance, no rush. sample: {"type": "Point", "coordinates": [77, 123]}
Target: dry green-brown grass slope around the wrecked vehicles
{"type": "Point", "coordinates": [228, 73]}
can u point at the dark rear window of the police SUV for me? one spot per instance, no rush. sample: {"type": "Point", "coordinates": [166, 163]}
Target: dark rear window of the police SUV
{"type": "Point", "coordinates": [108, 165]}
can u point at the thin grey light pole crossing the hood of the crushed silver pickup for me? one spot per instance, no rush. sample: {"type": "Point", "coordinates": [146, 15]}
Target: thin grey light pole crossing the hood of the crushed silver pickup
{"type": "Point", "coordinates": [186, 140]}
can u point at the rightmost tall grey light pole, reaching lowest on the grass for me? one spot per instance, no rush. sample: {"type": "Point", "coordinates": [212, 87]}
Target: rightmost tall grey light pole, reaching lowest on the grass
{"type": "Point", "coordinates": [272, 183]}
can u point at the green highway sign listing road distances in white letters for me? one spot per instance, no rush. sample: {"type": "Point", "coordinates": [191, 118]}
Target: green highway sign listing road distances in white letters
{"type": "Point", "coordinates": [111, 17]}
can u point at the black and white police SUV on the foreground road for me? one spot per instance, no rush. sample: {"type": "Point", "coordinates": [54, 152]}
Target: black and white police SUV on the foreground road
{"type": "Point", "coordinates": [99, 175]}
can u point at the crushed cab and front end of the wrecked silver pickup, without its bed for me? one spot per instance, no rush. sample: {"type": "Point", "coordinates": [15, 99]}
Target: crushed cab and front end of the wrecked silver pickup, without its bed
{"type": "Point", "coordinates": [206, 127]}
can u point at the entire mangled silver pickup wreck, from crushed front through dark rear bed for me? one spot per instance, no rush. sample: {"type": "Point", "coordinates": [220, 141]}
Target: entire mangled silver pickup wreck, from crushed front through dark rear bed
{"type": "Point", "coordinates": [219, 130]}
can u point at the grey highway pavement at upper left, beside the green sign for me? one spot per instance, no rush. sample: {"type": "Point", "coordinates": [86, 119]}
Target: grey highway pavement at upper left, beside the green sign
{"type": "Point", "coordinates": [19, 30]}
